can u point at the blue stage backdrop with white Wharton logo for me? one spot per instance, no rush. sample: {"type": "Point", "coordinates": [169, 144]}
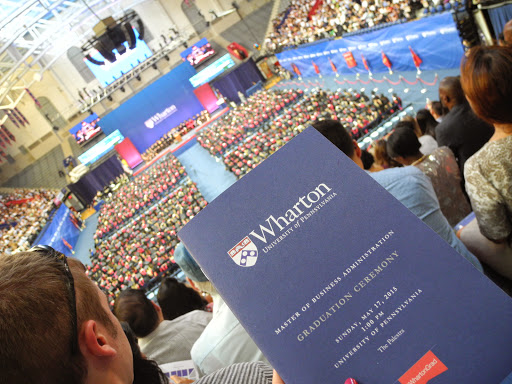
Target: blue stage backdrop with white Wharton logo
{"type": "Point", "coordinates": [151, 113]}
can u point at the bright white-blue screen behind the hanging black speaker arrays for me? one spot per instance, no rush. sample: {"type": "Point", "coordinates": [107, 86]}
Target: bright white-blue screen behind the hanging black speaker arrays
{"type": "Point", "coordinates": [110, 72]}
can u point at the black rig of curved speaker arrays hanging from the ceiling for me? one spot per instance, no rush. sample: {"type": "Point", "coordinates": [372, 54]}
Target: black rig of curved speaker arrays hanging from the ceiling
{"type": "Point", "coordinates": [111, 35]}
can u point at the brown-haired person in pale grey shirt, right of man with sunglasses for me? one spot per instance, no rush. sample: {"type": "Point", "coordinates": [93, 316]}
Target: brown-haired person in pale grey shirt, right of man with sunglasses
{"type": "Point", "coordinates": [161, 340]}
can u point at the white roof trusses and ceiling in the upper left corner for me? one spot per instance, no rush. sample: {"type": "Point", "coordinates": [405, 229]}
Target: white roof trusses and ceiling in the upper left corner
{"type": "Point", "coordinates": [35, 33]}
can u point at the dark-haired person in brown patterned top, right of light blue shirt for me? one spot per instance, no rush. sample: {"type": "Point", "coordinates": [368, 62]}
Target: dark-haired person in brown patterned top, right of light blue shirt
{"type": "Point", "coordinates": [440, 167]}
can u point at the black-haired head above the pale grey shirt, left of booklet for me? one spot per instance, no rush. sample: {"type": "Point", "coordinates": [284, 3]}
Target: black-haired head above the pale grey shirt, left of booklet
{"type": "Point", "coordinates": [176, 299]}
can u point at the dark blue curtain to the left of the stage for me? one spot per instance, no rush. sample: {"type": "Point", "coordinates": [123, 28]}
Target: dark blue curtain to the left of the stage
{"type": "Point", "coordinates": [92, 182]}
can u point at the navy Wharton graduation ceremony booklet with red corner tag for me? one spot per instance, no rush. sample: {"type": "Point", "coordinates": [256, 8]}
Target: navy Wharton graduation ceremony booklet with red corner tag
{"type": "Point", "coordinates": [334, 278]}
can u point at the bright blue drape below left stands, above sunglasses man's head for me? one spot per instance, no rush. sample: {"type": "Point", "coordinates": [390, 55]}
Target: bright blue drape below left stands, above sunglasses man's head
{"type": "Point", "coordinates": [61, 234]}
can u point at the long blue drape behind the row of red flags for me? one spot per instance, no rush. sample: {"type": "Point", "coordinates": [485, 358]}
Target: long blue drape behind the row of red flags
{"type": "Point", "coordinates": [433, 39]}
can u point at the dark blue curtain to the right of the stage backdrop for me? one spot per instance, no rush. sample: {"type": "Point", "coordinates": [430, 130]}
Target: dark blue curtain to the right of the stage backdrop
{"type": "Point", "coordinates": [240, 79]}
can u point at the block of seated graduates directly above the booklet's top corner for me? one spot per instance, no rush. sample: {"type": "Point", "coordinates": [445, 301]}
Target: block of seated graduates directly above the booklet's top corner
{"type": "Point", "coordinates": [358, 112]}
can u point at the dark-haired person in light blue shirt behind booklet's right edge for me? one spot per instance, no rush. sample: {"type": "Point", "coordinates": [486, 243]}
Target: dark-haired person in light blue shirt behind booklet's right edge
{"type": "Point", "coordinates": [407, 184]}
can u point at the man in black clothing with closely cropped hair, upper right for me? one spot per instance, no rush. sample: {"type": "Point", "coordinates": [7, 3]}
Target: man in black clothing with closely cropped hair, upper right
{"type": "Point", "coordinates": [461, 130]}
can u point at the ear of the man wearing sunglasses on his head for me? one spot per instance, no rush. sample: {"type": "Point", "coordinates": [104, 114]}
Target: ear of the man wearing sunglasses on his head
{"type": "Point", "coordinates": [95, 342]}
